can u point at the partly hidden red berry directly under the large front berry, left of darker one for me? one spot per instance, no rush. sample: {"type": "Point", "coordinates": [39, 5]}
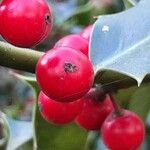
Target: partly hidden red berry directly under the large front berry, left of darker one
{"type": "Point", "coordinates": [57, 112]}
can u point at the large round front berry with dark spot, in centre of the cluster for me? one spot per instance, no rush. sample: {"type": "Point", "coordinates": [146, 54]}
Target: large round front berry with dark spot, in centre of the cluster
{"type": "Point", "coordinates": [64, 74]}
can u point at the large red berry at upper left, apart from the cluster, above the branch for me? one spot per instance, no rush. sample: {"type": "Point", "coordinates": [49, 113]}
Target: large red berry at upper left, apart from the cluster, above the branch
{"type": "Point", "coordinates": [25, 23]}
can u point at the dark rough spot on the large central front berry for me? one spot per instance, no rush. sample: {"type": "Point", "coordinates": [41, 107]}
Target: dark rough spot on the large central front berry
{"type": "Point", "coordinates": [69, 67]}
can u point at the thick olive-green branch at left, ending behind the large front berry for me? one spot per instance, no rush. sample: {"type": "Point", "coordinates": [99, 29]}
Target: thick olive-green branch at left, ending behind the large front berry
{"type": "Point", "coordinates": [18, 58]}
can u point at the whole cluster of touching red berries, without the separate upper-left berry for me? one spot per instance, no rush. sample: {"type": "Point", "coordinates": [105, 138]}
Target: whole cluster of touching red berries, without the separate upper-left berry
{"type": "Point", "coordinates": [65, 76]}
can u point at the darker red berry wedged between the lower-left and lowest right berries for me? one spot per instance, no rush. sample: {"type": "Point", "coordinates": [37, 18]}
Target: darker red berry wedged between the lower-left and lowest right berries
{"type": "Point", "coordinates": [94, 112]}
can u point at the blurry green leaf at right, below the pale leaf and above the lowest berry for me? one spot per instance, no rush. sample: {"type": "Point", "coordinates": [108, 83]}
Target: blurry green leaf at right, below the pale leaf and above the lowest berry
{"type": "Point", "coordinates": [135, 99]}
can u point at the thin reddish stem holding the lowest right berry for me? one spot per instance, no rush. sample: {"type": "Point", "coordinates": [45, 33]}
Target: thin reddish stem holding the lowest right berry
{"type": "Point", "coordinates": [117, 108]}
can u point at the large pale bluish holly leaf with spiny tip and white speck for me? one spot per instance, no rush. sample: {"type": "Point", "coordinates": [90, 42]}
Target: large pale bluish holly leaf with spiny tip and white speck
{"type": "Point", "coordinates": [121, 43]}
